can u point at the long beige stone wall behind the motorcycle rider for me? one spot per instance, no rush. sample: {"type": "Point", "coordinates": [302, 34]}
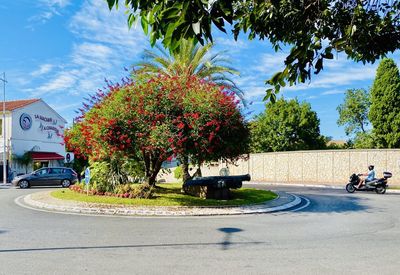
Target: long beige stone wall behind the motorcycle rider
{"type": "Point", "coordinates": [313, 167]}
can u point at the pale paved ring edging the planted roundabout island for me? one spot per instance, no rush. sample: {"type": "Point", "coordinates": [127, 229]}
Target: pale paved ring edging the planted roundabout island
{"type": "Point", "coordinates": [44, 201]}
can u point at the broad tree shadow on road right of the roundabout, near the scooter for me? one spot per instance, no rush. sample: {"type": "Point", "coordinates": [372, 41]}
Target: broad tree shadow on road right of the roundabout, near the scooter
{"type": "Point", "coordinates": [334, 204]}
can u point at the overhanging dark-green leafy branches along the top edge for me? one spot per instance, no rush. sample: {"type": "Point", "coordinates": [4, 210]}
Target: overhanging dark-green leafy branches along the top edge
{"type": "Point", "coordinates": [364, 30]}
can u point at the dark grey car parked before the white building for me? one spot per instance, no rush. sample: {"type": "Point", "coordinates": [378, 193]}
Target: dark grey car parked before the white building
{"type": "Point", "coordinates": [63, 176]}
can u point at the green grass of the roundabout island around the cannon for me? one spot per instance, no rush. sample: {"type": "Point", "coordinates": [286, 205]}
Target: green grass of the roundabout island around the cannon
{"type": "Point", "coordinates": [170, 195]}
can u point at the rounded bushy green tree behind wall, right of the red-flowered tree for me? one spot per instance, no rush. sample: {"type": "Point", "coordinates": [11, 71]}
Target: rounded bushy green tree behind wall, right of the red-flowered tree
{"type": "Point", "coordinates": [286, 126]}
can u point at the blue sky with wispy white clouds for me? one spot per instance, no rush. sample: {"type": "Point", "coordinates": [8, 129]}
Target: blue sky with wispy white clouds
{"type": "Point", "coordinates": [62, 50]}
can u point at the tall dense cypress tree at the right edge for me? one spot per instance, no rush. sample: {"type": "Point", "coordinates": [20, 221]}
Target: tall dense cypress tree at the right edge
{"type": "Point", "coordinates": [385, 105]}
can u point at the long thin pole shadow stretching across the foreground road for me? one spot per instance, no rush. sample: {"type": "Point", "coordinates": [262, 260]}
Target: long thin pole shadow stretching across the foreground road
{"type": "Point", "coordinates": [123, 246]}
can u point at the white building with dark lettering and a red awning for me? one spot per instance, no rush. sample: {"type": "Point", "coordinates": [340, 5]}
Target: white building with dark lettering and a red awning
{"type": "Point", "coordinates": [32, 126]}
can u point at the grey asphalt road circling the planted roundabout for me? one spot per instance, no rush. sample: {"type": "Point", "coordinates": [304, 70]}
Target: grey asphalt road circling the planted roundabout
{"type": "Point", "coordinates": [338, 233]}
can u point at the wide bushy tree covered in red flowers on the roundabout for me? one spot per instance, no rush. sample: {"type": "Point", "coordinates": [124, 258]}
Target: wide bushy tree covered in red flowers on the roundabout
{"type": "Point", "coordinates": [160, 118]}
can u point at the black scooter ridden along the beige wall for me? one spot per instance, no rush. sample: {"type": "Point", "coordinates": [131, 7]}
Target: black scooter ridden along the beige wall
{"type": "Point", "coordinates": [377, 185]}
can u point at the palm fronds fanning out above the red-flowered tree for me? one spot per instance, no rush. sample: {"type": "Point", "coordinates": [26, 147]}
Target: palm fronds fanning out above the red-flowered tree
{"type": "Point", "coordinates": [190, 59]}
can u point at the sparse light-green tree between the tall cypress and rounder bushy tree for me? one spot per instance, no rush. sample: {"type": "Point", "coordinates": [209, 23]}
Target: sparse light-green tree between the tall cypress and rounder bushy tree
{"type": "Point", "coordinates": [353, 112]}
